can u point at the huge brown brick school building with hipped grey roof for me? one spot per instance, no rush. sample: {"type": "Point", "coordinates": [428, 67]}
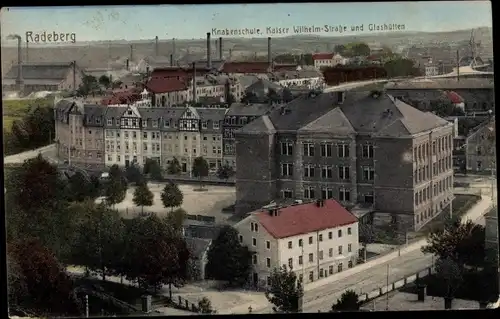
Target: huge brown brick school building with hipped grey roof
{"type": "Point", "coordinates": [364, 148]}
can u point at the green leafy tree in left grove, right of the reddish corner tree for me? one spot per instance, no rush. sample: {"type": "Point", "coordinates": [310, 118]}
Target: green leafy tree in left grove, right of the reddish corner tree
{"type": "Point", "coordinates": [98, 234]}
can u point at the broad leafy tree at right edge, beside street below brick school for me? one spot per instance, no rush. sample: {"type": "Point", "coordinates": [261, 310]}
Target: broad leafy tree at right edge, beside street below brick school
{"type": "Point", "coordinates": [463, 243]}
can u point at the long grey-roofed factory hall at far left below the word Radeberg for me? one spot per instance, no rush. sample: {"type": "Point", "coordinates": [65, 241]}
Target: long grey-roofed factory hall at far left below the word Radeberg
{"type": "Point", "coordinates": [44, 77]}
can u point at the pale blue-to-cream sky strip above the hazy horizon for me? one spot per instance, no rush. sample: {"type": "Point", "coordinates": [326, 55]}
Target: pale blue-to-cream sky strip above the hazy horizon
{"type": "Point", "coordinates": [98, 23]}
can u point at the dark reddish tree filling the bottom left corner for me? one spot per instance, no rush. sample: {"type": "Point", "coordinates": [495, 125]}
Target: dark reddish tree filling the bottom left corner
{"type": "Point", "coordinates": [48, 289]}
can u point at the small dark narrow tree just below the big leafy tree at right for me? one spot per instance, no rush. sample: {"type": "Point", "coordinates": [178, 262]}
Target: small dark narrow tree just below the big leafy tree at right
{"type": "Point", "coordinates": [451, 273]}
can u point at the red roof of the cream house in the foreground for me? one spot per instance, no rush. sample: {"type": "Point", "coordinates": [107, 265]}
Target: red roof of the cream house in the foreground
{"type": "Point", "coordinates": [305, 218]}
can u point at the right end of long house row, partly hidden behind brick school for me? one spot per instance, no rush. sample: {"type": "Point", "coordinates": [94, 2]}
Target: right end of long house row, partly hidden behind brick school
{"type": "Point", "coordinates": [237, 116]}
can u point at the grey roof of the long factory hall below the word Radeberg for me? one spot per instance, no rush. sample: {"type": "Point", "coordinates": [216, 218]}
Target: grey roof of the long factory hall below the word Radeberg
{"type": "Point", "coordinates": [41, 71]}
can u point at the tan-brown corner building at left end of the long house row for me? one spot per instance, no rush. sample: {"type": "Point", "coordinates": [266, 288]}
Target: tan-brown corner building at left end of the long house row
{"type": "Point", "coordinates": [79, 133]}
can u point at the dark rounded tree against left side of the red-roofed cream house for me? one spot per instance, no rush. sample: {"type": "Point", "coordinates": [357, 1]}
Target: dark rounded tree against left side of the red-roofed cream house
{"type": "Point", "coordinates": [227, 259]}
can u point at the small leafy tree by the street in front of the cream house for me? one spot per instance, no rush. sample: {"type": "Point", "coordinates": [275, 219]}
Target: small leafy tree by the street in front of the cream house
{"type": "Point", "coordinates": [285, 291]}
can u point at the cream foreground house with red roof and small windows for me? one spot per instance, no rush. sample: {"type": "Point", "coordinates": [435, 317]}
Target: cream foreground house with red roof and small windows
{"type": "Point", "coordinates": [315, 239]}
